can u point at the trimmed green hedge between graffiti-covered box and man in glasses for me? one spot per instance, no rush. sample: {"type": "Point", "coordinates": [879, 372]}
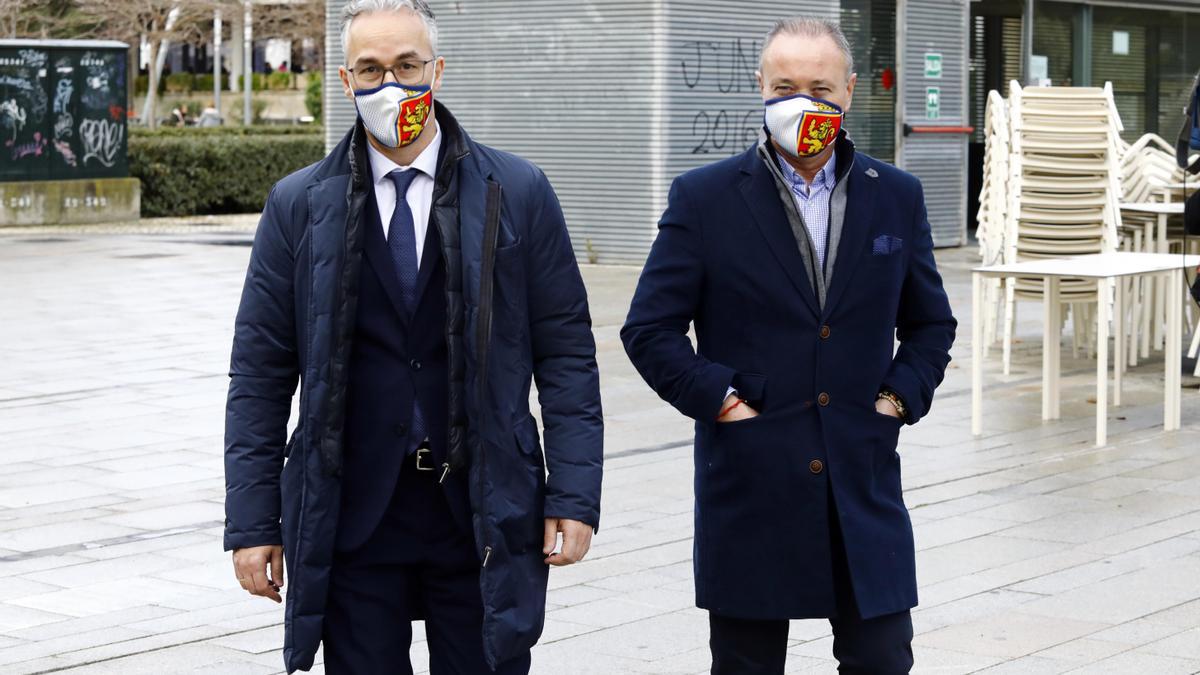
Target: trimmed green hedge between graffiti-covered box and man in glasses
{"type": "Point", "coordinates": [197, 172]}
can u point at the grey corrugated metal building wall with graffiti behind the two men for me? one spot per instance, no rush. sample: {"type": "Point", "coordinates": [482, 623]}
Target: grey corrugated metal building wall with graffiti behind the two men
{"type": "Point", "coordinates": [613, 99]}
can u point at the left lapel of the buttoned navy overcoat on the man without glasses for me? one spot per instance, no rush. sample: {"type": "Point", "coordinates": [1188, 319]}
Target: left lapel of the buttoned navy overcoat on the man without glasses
{"type": "Point", "coordinates": [759, 190]}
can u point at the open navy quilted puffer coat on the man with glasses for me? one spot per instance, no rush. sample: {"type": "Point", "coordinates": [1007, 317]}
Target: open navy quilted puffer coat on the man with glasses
{"type": "Point", "coordinates": [517, 312]}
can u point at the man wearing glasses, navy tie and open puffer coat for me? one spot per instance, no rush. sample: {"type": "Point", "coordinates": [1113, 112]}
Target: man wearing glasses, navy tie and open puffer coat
{"type": "Point", "coordinates": [413, 282]}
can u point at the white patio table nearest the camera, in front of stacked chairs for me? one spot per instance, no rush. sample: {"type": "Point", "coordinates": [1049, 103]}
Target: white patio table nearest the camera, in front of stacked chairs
{"type": "Point", "coordinates": [1105, 268]}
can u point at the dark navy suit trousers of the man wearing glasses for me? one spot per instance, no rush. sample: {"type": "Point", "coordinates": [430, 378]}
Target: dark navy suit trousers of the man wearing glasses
{"type": "Point", "coordinates": [418, 564]}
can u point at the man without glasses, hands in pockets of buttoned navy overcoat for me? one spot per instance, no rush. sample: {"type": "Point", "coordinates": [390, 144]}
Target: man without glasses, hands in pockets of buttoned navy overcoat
{"type": "Point", "coordinates": [799, 264]}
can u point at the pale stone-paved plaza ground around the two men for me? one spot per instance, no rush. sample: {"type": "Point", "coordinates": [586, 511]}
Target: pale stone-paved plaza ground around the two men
{"type": "Point", "coordinates": [1037, 553]}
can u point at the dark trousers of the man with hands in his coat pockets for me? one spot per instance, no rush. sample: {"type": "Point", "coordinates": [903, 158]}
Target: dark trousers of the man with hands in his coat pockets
{"type": "Point", "coordinates": [862, 647]}
